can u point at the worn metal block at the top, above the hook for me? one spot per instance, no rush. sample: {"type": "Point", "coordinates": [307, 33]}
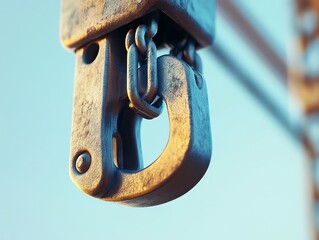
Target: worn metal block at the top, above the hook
{"type": "Point", "coordinates": [86, 20]}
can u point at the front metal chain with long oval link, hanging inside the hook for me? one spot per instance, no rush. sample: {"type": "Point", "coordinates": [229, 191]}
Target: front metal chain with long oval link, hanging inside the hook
{"type": "Point", "coordinates": [139, 44]}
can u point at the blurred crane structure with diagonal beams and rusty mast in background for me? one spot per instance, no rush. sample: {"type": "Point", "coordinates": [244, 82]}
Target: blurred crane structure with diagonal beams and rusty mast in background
{"type": "Point", "coordinates": [300, 79]}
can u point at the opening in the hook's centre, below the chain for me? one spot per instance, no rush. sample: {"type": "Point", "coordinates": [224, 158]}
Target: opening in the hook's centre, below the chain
{"type": "Point", "coordinates": [137, 144]}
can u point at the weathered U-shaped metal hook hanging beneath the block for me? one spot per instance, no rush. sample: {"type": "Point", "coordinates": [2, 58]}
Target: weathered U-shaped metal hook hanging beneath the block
{"type": "Point", "coordinates": [106, 129]}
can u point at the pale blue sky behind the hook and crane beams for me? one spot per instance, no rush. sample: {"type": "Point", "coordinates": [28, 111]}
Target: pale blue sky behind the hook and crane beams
{"type": "Point", "coordinates": [253, 189]}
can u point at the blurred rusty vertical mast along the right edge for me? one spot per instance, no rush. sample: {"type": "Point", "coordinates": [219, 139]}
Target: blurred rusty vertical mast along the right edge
{"type": "Point", "coordinates": [305, 86]}
